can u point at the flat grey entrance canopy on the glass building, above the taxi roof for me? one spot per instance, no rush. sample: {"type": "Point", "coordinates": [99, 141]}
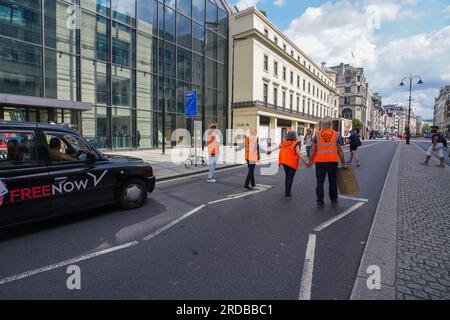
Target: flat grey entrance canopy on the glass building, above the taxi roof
{"type": "Point", "coordinates": [12, 99]}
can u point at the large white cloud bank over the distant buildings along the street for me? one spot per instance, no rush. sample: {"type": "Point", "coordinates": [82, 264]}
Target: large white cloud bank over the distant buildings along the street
{"type": "Point", "coordinates": [330, 32]}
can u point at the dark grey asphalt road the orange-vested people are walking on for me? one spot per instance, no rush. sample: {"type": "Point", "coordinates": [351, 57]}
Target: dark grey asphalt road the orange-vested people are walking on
{"type": "Point", "coordinates": [194, 240]}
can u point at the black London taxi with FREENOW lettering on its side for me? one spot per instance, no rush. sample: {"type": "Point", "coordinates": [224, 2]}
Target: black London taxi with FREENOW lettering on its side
{"type": "Point", "coordinates": [50, 170]}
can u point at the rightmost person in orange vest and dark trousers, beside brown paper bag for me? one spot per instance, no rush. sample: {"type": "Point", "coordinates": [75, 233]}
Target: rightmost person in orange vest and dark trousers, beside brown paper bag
{"type": "Point", "coordinates": [326, 154]}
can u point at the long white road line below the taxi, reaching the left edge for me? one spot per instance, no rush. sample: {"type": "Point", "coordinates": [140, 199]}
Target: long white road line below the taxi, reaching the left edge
{"type": "Point", "coordinates": [66, 263]}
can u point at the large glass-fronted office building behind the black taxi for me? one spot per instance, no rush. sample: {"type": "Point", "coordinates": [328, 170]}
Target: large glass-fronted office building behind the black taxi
{"type": "Point", "coordinates": [117, 70]}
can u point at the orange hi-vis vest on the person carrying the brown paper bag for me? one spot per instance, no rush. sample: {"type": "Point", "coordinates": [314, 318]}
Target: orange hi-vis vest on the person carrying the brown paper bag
{"type": "Point", "coordinates": [326, 146]}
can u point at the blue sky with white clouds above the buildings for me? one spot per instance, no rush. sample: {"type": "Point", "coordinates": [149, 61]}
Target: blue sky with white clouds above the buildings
{"type": "Point", "coordinates": [390, 39]}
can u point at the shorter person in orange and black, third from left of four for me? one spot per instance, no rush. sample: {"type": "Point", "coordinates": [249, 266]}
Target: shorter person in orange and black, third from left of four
{"type": "Point", "coordinates": [289, 156]}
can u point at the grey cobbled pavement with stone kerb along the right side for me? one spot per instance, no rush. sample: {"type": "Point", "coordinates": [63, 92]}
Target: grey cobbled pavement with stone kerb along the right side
{"type": "Point", "coordinates": [409, 239]}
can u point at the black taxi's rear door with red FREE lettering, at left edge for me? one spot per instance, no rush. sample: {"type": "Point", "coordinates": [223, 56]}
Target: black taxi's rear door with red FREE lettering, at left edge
{"type": "Point", "coordinates": [25, 188]}
